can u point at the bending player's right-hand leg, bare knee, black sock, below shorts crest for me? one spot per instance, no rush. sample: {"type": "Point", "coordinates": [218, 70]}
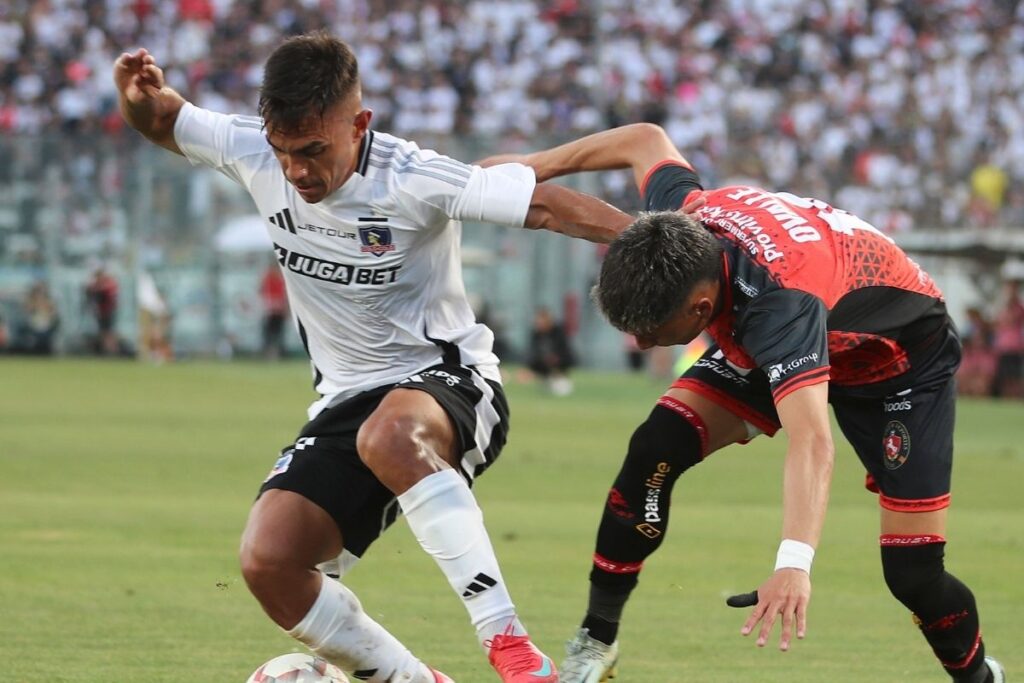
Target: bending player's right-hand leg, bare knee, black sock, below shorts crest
{"type": "Point", "coordinates": [945, 610]}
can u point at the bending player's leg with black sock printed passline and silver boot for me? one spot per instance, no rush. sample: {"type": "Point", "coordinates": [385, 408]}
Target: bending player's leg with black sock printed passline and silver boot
{"type": "Point", "coordinates": [636, 518]}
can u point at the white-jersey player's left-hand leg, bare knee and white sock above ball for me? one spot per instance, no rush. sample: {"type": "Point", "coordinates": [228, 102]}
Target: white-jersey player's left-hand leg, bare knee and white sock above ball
{"type": "Point", "coordinates": [286, 537]}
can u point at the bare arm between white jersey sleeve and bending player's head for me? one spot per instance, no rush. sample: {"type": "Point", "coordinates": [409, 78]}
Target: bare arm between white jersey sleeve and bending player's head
{"type": "Point", "coordinates": [576, 215]}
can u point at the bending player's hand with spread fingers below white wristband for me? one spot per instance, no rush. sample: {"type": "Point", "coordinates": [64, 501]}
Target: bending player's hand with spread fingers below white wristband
{"type": "Point", "coordinates": [786, 594]}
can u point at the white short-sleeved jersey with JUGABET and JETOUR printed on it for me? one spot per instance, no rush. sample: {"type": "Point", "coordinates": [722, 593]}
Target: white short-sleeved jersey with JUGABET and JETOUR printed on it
{"type": "Point", "coordinates": [374, 272]}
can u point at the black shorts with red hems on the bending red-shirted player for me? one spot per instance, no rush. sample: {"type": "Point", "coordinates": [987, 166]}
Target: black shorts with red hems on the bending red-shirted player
{"type": "Point", "coordinates": [905, 440]}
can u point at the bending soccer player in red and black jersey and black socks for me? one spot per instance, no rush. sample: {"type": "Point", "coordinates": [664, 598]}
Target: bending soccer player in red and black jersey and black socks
{"type": "Point", "coordinates": [807, 306]}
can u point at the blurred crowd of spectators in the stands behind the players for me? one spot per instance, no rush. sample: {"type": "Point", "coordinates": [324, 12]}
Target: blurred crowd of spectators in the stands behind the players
{"type": "Point", "coordinates": [910, 114]}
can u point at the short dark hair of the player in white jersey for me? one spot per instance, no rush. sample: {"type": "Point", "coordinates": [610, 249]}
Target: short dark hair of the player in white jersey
{"type": "Point", "coordinates": [306, 76]}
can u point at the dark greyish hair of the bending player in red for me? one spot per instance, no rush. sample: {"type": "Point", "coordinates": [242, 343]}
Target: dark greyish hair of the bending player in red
{"type": "Point", "coordinates": [652, 269]}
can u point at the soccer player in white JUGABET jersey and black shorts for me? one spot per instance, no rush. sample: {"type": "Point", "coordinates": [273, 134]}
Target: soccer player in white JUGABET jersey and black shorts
{"type": "Point", "coordinates": [366, 229]}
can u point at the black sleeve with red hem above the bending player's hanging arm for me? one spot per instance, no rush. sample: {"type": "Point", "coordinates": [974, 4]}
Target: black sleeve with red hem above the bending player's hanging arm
{"type": "Point", "coordinates": [785, 333]}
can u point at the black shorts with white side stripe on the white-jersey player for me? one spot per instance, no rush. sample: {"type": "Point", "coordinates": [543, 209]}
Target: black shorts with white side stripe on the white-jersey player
{"type": "Point", "coordinates": [324, 466]}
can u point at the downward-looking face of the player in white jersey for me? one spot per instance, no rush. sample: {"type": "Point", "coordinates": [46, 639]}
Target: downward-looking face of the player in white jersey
{"type": "Point", "coordinates": [320, 156]}
